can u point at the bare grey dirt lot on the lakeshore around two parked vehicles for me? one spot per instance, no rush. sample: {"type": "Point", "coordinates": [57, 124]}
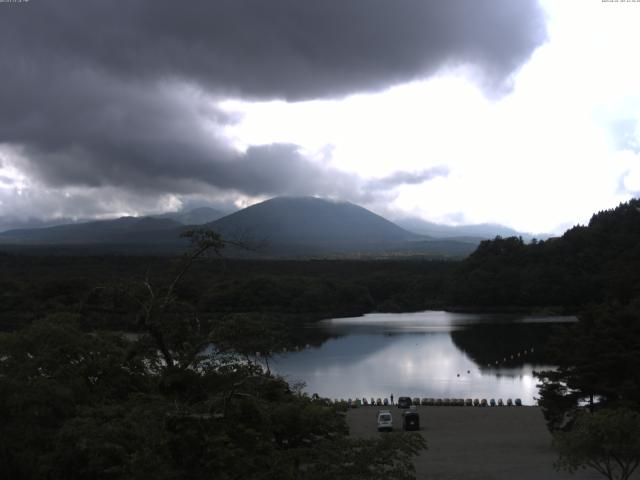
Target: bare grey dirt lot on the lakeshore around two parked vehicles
{"type": "Point", "coordinates": [476, 443]}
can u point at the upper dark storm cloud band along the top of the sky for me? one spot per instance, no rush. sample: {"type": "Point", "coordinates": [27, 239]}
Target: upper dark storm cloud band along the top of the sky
{"type": "Point", "coordinates": [280, 48]}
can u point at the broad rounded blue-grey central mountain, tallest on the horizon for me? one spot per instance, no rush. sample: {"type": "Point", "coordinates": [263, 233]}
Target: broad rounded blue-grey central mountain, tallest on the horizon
{"type": "Point", "coordinates": [304, 226]}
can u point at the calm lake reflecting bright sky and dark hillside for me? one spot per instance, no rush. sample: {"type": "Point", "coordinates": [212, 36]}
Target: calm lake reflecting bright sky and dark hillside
{"type": "Point", "coordinates": [425, 354]}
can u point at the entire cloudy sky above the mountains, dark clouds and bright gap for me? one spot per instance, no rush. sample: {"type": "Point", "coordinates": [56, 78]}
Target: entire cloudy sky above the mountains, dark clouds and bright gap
{"type": "Point", "coordinates": [523, 113]}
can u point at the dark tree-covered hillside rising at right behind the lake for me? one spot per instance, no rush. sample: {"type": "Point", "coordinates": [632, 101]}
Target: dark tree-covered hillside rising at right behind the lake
{"type": "Point", "coordinates": [596, 263]}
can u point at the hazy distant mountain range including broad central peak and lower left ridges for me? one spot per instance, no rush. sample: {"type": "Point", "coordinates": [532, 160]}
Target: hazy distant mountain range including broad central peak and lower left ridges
{"type": "Point", "coordinates": [285, 226]}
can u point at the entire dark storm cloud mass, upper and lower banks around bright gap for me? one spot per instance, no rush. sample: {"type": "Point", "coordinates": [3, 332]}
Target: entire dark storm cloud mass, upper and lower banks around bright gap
{"type": "Point", "coordinates": [102, 94]}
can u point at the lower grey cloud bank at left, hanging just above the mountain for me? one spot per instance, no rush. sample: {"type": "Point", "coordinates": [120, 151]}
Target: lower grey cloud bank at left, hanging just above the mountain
{"type": "Point", "coordinates": [158, 137]}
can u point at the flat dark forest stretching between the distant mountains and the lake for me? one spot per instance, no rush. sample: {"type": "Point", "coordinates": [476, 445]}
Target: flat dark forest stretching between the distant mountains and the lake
{"type": "Point", "coordinates": [95, 287]}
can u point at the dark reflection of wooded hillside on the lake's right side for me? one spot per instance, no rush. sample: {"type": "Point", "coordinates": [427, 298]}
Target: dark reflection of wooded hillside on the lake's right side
{"type": "Point", "coordinates": [510, 345]}
